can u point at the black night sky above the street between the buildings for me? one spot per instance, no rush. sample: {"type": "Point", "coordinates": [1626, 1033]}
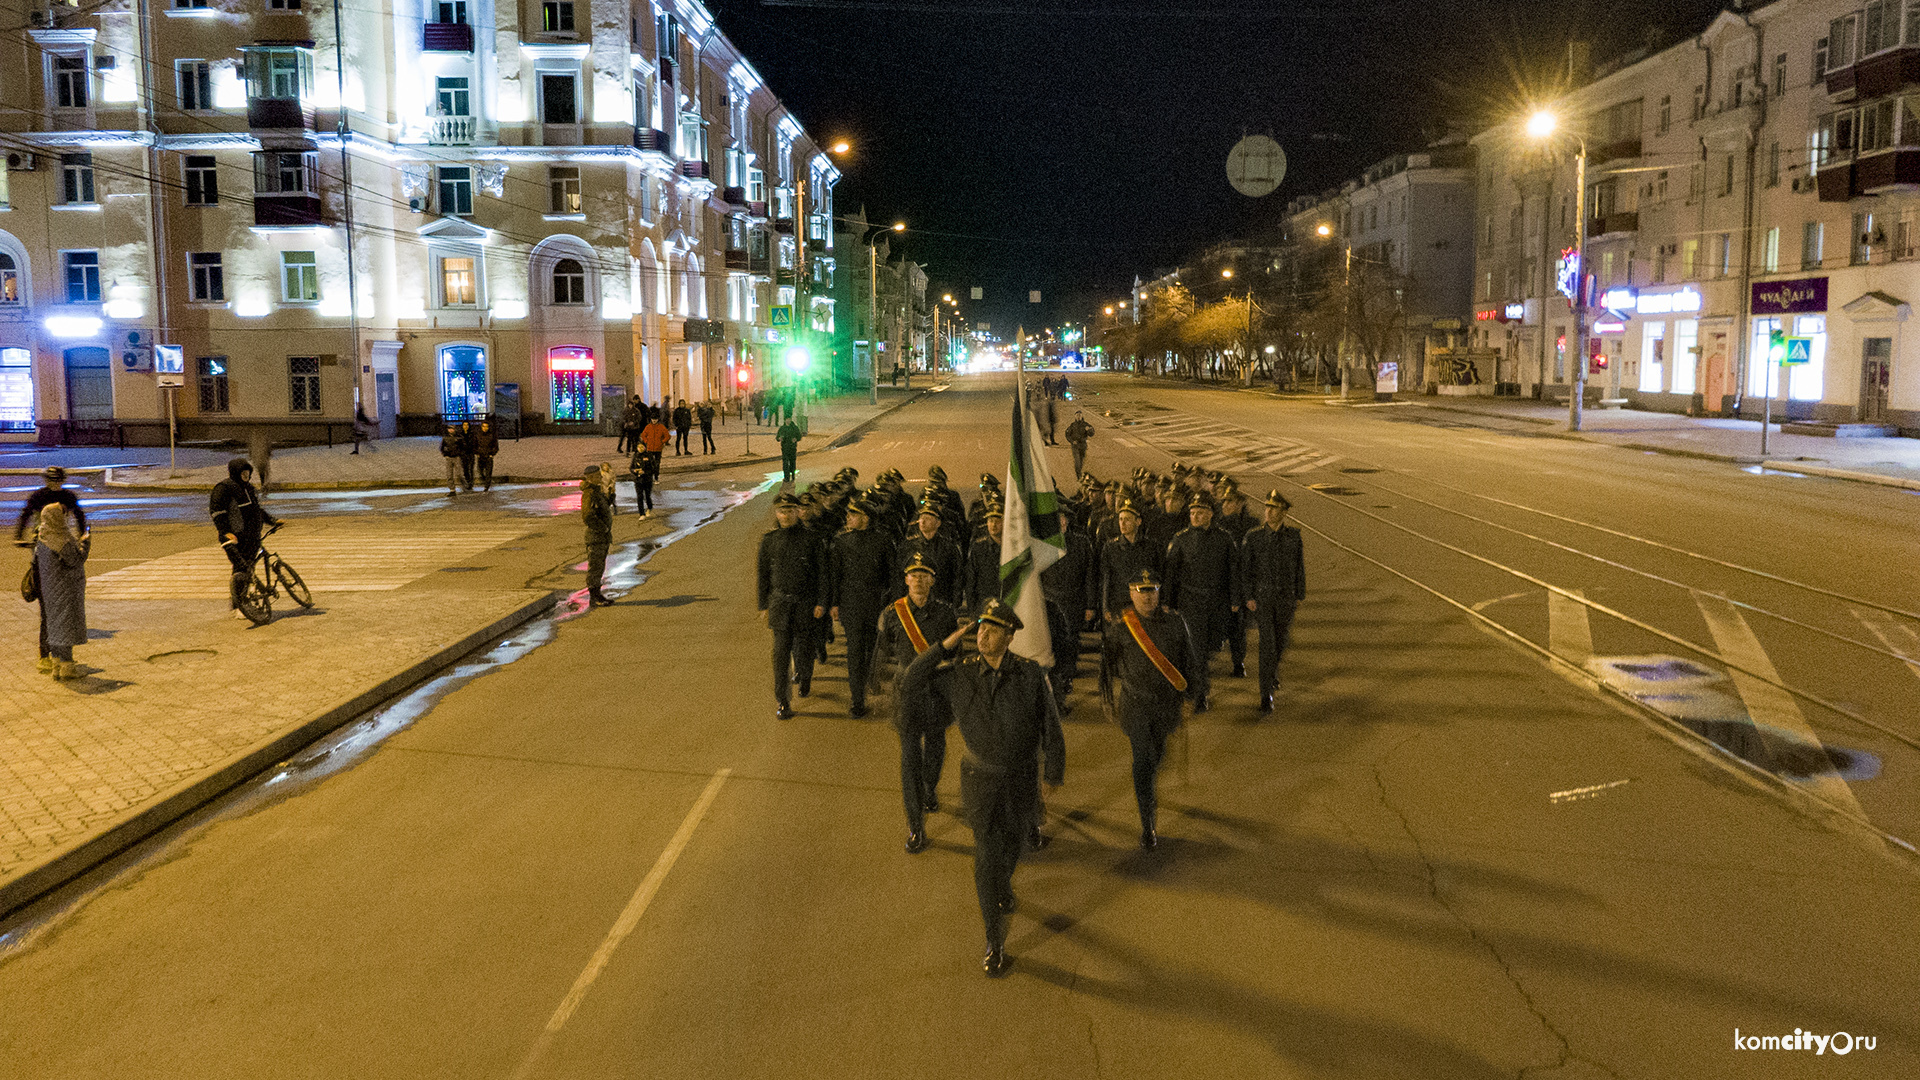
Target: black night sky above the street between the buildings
{"type": "Point", "coordinates": [1070, 145]}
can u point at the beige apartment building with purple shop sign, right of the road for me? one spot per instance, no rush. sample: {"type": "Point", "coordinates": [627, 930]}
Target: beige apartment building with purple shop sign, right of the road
{"type": "Point", "coordinates": [1758, 178]}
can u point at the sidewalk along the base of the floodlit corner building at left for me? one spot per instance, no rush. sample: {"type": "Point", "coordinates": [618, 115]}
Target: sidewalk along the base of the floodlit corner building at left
{"type": "Point", "coordinates": [418, 464]}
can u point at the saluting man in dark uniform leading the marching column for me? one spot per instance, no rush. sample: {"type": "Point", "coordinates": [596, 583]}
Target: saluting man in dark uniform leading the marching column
{"type": "Point", "coordinates": [1007, 718]}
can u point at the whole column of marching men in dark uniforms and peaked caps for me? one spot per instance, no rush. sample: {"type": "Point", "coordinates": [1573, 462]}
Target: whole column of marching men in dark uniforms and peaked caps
{"type": "Point", "coordinates": [1161, 572]}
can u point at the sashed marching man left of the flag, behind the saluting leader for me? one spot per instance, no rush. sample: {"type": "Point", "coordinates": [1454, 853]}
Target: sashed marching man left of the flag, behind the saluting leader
{"type": "Point", "coordinates": [909, 627]}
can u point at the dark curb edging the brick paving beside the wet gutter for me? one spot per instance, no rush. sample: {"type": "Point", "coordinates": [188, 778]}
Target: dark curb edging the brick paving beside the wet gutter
{"type": "Point", "coordinates": [187, 797]}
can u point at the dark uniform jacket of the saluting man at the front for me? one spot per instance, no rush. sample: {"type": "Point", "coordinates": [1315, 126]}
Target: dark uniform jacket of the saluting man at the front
{"type": "Point", "coordinates": [1007, 718]}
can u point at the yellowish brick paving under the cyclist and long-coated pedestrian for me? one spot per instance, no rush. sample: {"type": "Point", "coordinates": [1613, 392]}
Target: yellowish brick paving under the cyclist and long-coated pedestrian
{"type": "Point", "coordinates": [178, 687]}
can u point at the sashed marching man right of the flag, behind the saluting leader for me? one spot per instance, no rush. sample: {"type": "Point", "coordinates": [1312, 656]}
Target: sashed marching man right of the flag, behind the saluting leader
{"type": "Point", "coordinates": [1151, 685]}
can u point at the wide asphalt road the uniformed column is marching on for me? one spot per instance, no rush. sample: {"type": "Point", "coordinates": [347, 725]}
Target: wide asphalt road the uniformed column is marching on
{"type": "Point", "coordinates": [602, 856]}
